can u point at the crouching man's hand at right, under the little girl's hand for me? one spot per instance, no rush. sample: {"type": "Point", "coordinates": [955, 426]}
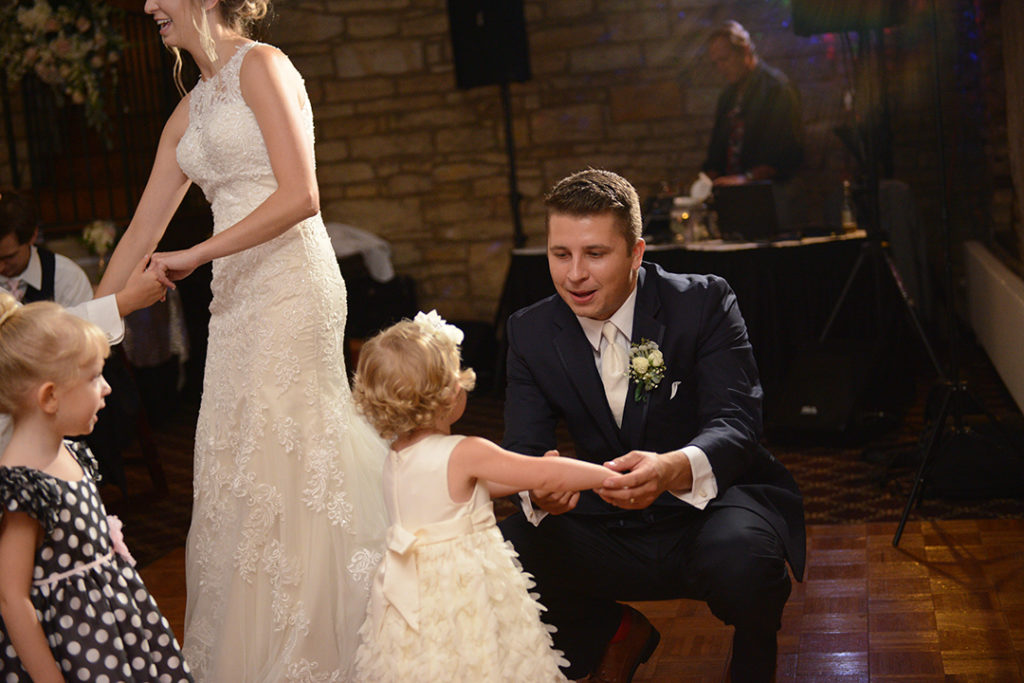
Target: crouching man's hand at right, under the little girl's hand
{"type": "Point", "coordinates": [645, 477]}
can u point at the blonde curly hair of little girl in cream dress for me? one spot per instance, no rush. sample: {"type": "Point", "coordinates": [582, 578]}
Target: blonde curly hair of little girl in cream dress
{"type": "Point", "coordinates": [407, 377]}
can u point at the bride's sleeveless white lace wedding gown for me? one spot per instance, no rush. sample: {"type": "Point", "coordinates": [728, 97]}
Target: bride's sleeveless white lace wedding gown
{"type": "Point", "coordinates": [288, 519]}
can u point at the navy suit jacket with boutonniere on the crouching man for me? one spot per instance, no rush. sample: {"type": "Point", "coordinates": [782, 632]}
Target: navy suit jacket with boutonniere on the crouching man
{"type": "Point", "coordinates": [716, 405]}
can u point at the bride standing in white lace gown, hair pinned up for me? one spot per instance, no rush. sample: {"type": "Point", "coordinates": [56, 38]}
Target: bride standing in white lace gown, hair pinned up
{"type": "Point", "coordinates": [288, 517]}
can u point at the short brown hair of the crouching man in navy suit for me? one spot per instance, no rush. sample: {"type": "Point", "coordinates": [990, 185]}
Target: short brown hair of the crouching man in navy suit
{"type": "Point", "coordinates": [594, 192]}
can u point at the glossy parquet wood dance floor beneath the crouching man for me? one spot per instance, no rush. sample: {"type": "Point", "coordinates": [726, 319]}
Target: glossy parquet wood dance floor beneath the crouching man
{"type": "Point", "coordinates": [947, 606]}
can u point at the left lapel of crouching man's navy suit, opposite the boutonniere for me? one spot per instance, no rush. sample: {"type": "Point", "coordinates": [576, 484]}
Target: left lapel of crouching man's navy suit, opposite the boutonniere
{"type": "Point", "coordinates": [578, 359]}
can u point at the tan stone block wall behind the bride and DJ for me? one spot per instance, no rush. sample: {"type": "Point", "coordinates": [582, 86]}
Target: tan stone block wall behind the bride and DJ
{"type": "Point", "coordinates": [625, 86]}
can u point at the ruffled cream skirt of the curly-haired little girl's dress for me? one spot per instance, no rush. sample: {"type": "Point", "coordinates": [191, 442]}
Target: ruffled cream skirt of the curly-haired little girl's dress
{"type": "Point", "coordinates": [479, 623]}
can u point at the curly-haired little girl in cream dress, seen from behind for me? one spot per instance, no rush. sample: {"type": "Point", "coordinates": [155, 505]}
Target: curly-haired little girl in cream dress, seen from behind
{"type": "Point", "coordinates": [450, 602]}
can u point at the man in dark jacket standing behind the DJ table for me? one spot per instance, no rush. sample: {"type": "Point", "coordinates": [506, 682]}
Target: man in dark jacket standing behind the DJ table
{"type": "Point", "coordinates": [758, 129]}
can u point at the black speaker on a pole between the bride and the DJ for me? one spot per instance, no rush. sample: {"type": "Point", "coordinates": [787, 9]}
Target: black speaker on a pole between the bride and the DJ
{"type": "Point", "coordinates": [489, 42]}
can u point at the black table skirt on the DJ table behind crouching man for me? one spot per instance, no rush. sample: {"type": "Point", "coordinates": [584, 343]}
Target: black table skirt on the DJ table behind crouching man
{"type": "Point", "coordinates": [786, 293]}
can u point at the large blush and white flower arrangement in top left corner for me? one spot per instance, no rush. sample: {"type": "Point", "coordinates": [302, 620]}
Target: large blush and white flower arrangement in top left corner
{"type": "Point", "coordinates": [68, 45]}
